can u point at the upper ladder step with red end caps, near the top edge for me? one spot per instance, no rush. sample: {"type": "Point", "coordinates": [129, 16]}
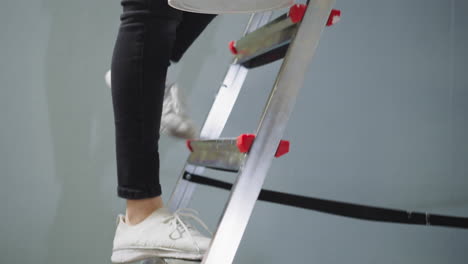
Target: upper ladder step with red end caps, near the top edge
{"type": "Point", "coordinates": [271, 42]}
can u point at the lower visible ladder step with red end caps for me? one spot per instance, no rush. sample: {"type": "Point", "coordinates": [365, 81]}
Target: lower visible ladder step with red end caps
{"type": "Point", "coordinates": [226, 154]}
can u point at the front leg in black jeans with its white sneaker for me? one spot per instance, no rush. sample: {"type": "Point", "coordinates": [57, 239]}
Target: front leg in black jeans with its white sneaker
{"type": "Point", "coordinates": [141, 57]}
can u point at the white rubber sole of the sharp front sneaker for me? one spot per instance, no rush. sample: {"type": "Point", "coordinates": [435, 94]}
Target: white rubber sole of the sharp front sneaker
{"type": "Point", "coordinates": [132, 255]}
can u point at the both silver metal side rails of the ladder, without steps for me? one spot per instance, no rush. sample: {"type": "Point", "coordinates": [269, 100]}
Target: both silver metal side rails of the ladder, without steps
{"type": "Point", "coordinates": [276, 114]}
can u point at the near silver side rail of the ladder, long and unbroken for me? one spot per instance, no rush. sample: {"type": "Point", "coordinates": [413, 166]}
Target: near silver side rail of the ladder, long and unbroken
{"type": "Point", "coordinates": [270, 131]}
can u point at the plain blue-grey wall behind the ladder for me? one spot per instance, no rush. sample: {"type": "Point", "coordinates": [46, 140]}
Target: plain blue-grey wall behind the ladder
{"type": "Point", "coordinates": [382, 120]}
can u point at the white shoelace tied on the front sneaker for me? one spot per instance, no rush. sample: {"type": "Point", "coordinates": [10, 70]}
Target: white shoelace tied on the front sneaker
{"type": "Point", "coordinates": [176, 218]}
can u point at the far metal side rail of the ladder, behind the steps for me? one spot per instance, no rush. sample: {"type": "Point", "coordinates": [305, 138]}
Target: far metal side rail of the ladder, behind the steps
{"type": "Point", "coordinates": [217, 116]}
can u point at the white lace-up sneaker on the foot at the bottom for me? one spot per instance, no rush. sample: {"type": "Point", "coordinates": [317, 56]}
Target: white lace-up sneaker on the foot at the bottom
{"type": "Point", "coordinates": [162, 235]}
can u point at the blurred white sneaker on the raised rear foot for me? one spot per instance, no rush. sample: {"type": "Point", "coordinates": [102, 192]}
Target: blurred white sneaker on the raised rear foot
{"type": "Point", "coordinates": [174, 120]}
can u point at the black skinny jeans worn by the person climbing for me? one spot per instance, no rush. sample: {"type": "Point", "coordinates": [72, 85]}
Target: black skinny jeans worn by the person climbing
{"type": "Point", "coordinates": [151, 35]}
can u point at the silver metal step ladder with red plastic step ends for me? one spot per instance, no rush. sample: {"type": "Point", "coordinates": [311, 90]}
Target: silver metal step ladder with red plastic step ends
{"type": "Point", "coordinates": [292, 37]}
